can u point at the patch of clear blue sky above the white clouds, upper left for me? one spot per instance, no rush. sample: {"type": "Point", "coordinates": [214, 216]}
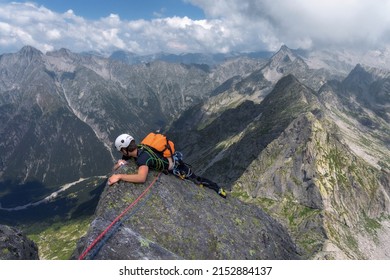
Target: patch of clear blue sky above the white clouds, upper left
{"type": "Point", "coordinates": [126, 9]}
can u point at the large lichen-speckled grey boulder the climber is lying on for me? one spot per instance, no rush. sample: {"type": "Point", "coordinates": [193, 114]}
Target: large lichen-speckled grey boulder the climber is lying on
{"type": "Point", "coordinates": [180, 220]}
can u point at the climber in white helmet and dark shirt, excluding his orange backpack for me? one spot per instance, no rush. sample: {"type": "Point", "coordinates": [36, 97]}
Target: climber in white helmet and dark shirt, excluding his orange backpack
{"type": "Point", "coordinates": [146, 157]}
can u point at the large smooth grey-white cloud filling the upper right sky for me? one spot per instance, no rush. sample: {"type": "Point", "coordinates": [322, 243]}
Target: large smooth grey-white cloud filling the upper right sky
{"type": "Point", "coordinates": [305, 23]}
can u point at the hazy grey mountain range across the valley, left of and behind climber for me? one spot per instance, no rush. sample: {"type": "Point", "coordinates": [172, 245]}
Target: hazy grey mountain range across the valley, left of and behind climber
{"type": "Point", "coordinates": [61, 111]}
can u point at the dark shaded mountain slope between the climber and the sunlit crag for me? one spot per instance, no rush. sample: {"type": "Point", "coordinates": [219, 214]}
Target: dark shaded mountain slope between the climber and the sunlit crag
{"type": "Point", "coordinates": [226, 146]}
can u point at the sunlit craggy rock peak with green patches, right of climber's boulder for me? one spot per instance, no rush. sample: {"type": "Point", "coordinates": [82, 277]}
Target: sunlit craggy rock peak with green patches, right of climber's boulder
{"type": "Point", "coordinates": [334, 204]}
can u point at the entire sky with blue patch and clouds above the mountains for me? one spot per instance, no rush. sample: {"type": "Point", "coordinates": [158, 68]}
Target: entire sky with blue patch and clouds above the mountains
{"type": "Point", "coordinates": [188, 26]}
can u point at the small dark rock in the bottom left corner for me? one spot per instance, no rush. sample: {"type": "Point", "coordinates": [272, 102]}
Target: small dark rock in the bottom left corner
{"type": "Point", "coordinates": [14, 245]}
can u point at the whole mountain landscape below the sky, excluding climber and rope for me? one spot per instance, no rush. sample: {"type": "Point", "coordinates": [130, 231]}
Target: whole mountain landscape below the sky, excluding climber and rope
{"type": "Point", "coordinates": [299, 139]}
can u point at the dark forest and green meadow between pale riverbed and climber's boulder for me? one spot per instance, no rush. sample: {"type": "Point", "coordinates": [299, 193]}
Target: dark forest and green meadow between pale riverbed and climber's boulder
{"type": "Point", "coordinates": [57, 225]}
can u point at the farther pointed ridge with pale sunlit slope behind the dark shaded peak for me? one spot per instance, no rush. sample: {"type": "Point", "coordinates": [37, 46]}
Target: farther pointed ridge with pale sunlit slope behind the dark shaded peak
{"type": "Point", "coordinates": [257, 84]}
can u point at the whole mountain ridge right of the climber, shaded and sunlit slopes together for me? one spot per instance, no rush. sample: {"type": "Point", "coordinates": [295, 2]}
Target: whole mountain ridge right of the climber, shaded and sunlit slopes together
{"type": "Point", "coordinates": [316, 160]}
